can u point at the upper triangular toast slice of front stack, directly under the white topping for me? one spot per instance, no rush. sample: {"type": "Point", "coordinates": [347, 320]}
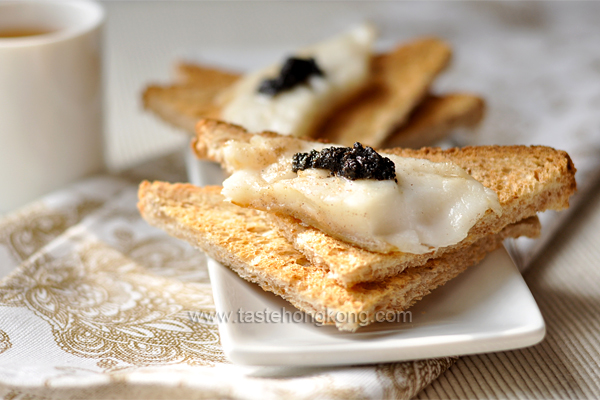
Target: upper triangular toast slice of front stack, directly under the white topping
{"type": "Point", "coordinates": [526, 179]}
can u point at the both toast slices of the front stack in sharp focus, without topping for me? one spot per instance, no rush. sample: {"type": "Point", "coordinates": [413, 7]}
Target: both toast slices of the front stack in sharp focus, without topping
{"type": "Point", "coordinates": [332, 280]}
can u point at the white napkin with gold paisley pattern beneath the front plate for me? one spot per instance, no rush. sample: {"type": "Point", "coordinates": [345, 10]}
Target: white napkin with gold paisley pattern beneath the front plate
{"type": "Point", "coordinates": [97, 305]}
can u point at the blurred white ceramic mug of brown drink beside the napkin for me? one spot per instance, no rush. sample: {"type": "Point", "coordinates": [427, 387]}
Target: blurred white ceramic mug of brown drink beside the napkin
{"type": "Point", "coordinates": [50, 97]}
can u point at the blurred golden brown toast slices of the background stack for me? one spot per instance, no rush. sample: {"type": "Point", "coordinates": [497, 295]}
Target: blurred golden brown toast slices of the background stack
{"type": "Point", "coordinates": [399, 82]}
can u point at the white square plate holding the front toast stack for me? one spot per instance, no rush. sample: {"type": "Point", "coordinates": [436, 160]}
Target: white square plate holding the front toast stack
{"type": "Point", "coordinates": [487, 308]}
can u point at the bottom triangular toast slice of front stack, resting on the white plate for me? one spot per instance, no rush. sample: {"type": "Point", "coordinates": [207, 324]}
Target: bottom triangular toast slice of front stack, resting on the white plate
{"type": "Point", "coordinates": [244, 240]}
